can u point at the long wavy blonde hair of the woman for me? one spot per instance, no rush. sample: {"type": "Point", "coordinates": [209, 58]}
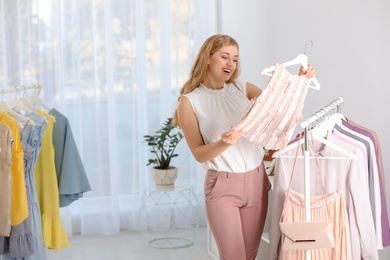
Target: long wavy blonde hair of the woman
{"type": "Point", "coordinates": [199, 68]}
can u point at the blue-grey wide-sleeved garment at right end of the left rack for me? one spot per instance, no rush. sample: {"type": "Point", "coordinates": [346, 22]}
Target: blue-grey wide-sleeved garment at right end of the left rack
{"type": "Point", "coordinates": [71, 176]}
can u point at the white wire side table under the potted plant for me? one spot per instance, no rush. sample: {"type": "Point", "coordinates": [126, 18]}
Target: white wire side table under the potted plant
{"type": "Point", "coordinates": [169, 215]}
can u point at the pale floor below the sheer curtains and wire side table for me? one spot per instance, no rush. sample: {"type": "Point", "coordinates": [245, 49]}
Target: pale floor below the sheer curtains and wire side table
{"type": "Point", "coordinates": [129, 245]}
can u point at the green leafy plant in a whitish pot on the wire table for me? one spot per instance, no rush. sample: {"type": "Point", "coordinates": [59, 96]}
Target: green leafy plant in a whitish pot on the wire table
{"type": "Point", "coordinates": [162, 146]}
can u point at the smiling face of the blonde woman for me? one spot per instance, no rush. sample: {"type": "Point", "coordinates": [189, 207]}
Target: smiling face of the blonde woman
{"type": "Point", "coordinates": [223, 63]}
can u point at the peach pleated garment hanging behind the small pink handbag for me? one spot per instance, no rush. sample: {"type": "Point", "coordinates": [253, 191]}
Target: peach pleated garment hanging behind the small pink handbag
{"type": "Point", "coordinates": [323, 209]}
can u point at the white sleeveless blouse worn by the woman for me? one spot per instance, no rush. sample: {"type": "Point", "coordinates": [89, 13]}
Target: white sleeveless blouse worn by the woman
{"type": "Point", "coordinates": [217, 112]}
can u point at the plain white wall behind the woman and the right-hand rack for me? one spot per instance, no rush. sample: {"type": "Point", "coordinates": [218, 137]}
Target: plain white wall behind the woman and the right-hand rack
{"type": "Point", "coordinates": [350, 53]}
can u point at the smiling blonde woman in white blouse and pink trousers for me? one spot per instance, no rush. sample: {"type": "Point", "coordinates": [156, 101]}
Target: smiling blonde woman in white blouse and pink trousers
{"type": "Point", "coordinates": [236, 185]}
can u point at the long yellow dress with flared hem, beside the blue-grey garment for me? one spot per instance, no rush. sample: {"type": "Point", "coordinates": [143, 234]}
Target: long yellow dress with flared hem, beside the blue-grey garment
{"type": "Point", "coordinates": [53, 231]}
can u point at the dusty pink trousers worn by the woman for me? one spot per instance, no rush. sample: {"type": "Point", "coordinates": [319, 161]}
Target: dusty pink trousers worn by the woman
{"type": "Point", "coordinates": [236, 208]}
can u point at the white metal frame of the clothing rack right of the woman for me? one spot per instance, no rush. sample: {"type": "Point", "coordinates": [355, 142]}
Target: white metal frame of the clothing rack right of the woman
{"type": "Point", "coordinates": [313, 121]}
